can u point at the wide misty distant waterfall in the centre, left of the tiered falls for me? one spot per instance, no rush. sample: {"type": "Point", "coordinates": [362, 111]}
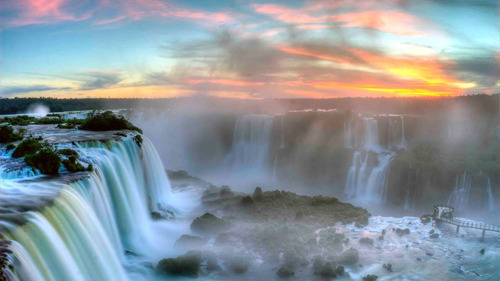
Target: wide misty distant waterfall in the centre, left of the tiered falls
{"type": "Point", "coordinates": [251, 144]}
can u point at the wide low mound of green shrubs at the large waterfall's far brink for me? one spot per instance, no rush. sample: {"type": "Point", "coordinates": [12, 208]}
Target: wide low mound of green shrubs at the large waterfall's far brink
{"type": "Point", "coordinates": [107, 121]}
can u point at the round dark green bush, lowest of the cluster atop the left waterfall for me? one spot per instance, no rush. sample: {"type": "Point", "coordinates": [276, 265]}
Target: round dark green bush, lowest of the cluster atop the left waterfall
{"type": "Point", "coordinates": [47, 160]}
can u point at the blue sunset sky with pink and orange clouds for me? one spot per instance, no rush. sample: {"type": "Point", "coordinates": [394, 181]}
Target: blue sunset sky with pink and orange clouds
{"type": "Point", "coordinates": [248, 48]}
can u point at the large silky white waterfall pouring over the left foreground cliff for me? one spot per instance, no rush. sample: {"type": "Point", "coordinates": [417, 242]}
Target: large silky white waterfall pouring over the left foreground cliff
{"type": "Point", "coordinates": [89, 225]}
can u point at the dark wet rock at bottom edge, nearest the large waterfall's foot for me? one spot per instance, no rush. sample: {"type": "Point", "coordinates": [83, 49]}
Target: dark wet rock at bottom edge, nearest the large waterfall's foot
{"type": "Point", "coordinates": [186, 265]}
